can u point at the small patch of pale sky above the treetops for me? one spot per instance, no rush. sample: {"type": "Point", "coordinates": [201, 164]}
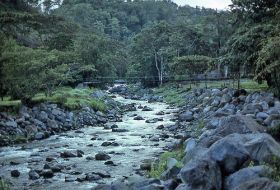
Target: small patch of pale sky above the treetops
{"type": "Point", "coordinates": [219, 4]}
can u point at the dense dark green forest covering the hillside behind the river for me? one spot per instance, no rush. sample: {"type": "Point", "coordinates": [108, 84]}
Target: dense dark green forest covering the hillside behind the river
{"type": "Point", "coordinates": [46, 44]}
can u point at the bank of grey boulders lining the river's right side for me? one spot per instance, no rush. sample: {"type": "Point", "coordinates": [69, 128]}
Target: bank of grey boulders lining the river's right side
{"type": "Point", "coordinates": [230, 143]}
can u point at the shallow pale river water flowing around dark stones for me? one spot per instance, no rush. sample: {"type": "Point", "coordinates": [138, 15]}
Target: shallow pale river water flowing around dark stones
{"type": "Point", "coordinates": [135, 146]}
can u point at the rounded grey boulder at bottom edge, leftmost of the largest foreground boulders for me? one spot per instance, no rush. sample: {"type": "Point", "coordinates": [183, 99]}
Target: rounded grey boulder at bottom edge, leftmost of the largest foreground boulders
{"type": "Point", "coordinates": [203, 174]}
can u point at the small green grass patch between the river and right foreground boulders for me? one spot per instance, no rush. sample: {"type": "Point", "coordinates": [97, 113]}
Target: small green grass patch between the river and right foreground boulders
{"type": "Point", "coordinates": [158, 168]}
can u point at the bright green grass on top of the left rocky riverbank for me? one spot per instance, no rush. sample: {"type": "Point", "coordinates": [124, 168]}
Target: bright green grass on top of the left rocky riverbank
{"type": "Point", "coordinates": [72, 99]}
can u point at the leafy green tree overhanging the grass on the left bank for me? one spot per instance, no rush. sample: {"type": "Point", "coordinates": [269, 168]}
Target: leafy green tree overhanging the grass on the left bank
{"type": "Point", "coordinates": [27, 71]}
